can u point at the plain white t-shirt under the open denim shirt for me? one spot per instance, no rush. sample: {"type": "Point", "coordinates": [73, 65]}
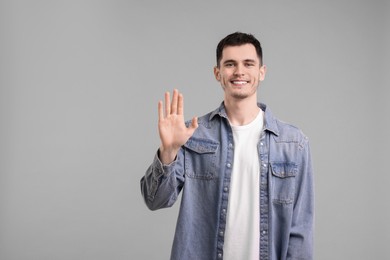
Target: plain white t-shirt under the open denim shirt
{"type": "Point", "coordinates": [242, 234]}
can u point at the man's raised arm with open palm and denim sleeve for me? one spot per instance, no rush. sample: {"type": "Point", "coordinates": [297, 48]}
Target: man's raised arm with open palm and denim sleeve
{"type": "Point", "coordinates": [165, 177]}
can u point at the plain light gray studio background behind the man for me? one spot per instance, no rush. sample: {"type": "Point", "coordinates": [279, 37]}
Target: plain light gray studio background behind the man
{"type": "Point", "coordinates": [80, 82]}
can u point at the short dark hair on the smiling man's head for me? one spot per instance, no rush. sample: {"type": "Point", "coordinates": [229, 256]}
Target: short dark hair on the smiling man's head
{"type": "Point", "coordinates": [238, 39]}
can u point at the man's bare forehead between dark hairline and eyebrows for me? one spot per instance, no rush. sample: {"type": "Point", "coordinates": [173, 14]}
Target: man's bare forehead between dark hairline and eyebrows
{"type": "Point", "coordinates": [239, 53]}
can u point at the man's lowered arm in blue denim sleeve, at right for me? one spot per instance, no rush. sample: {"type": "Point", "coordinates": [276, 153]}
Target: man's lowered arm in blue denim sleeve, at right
{"type": "Point", "coordinates": [301, 236]}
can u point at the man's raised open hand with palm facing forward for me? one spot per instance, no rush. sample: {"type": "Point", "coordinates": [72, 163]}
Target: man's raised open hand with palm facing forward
{"type": "Point", "coordinates": [171, 126]}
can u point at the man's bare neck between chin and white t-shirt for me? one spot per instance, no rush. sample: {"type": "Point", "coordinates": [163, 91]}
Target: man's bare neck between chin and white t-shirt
{"type": "Point", "coordinates": [241, 112]}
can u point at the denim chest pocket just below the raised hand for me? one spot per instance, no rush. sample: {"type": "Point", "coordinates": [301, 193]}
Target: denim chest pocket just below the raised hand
{"type": "Point", "coordinates": [200, 158]}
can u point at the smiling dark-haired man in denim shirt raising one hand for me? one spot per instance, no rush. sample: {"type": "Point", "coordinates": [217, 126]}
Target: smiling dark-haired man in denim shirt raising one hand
{"type": "Point", "coordinates": [245, 177]}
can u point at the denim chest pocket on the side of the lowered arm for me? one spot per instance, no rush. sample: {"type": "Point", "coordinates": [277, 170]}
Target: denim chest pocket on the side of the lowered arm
{"type": "Point", "coordinates": [283, 180]}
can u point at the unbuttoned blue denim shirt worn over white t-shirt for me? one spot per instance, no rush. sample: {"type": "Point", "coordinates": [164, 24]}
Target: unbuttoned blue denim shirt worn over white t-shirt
{"type": "Point", "coordinates": [202, 172]}
